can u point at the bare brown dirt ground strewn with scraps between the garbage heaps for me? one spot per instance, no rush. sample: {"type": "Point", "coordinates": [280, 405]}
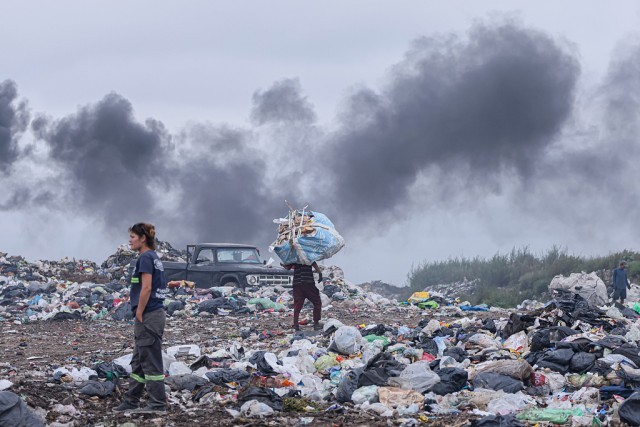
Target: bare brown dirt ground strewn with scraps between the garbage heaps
{"type": "Point", "coordinates": [30, 352]}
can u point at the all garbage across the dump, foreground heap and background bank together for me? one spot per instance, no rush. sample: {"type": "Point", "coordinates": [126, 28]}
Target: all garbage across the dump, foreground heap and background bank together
{"type": "Point", "coordinates": [574, 359]}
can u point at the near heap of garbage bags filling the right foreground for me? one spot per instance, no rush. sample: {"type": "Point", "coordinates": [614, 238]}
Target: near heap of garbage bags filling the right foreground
{"type": "Point", "coordinates": [568, 362]}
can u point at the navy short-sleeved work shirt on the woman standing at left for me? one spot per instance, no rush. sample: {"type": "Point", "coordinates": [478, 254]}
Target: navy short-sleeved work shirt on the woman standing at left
{"type": "Point", "coordinates": [149, 262]}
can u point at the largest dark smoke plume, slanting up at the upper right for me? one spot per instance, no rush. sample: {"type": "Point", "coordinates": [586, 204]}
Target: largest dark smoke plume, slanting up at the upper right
{"type": "Point", "coordinates": [482, 105]}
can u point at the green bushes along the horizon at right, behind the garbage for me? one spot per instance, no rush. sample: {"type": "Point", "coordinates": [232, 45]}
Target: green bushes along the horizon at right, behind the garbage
{"type": "Point", "coordinates": [506, 280]}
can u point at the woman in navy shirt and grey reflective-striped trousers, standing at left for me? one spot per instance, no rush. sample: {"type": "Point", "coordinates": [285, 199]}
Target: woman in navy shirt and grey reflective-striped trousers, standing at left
{"type": "Point", "coordinates": [147, 295]}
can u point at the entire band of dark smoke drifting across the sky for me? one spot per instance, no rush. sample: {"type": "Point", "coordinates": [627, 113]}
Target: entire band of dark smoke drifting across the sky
{"type": "Point", "coordinates": [489, 109]}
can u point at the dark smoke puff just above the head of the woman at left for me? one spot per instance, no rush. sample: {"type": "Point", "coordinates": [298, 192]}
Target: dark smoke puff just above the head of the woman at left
{"type": "Point", "coordinates": [109, 160]}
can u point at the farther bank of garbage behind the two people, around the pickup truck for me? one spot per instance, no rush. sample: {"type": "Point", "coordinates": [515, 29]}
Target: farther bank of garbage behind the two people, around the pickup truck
{"type": "Point", "coordinates": [32, 291]}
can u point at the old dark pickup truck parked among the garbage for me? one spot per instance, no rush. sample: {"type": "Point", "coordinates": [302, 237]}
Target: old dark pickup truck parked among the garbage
{"type": "Point", "coordinates": [226, 264]}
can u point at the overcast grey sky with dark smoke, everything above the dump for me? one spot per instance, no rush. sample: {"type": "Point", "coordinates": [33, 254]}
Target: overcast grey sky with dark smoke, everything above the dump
{"type": "Point", "coordinates": [425, 130]}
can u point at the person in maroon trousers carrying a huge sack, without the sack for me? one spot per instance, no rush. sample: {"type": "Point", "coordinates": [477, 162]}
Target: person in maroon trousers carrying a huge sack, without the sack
{"type": "Point", "coordinates": [304, 287]}
